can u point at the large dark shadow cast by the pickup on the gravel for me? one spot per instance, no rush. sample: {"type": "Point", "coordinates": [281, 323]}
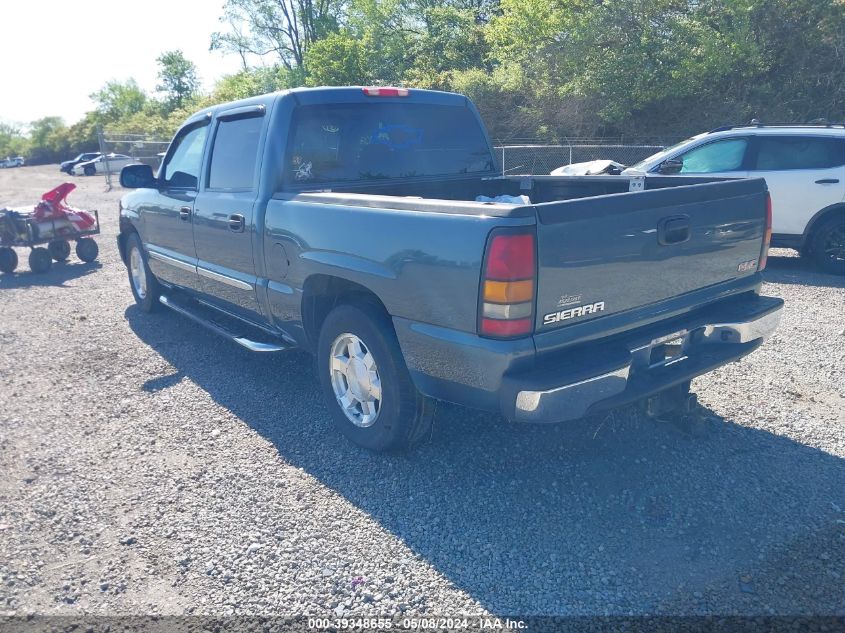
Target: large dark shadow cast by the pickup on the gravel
{"type": "Point", "coordinates": [606, 515]}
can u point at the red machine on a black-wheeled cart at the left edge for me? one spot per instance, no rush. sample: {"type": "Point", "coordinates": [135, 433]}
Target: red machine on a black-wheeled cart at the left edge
{"type": "Point", "coordinates": [51, 222]}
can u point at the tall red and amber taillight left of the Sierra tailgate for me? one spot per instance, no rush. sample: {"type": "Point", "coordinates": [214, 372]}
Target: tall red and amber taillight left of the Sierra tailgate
{"type": "Point", "coordinates": [506, 304]}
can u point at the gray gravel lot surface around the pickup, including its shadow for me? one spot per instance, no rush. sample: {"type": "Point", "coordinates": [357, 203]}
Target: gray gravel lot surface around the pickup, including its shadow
{"type": "Point", "coordinates": [147, 466]}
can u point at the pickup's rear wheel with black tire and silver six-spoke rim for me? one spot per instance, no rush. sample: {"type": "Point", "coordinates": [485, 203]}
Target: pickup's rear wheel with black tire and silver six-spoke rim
{"type": "Point", "coordinates": [403, 416]}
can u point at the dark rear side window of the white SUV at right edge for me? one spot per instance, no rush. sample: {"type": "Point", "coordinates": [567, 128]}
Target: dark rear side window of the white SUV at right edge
{"type": "Point", "coordinates": [777, 153]}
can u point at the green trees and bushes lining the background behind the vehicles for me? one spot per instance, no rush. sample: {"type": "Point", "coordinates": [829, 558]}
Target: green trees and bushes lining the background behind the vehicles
{"type": "Point", "coordinates": [544, 69]}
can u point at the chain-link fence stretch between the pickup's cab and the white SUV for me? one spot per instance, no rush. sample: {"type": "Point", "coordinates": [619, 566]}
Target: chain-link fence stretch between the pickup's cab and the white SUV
{"type": "Point", "coordinates": [542, 159]}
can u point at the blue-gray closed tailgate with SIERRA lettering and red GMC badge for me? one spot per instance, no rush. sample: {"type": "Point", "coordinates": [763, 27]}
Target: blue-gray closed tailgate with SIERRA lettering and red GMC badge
{"type": "Point", "coordinates": [609, 254]}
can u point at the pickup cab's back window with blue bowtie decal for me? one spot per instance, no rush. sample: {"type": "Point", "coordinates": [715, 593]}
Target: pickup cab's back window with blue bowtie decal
{"type": "Point", "coordinates": [374, 141]}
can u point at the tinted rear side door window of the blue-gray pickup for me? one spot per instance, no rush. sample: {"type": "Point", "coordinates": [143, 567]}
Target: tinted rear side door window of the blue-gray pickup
{"type": "Point", "coordinates": [235, 152]}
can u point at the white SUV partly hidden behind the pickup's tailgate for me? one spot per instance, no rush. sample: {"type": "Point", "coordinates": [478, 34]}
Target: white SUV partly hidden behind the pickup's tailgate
{"type": "Point", "coordinates": [804, 167]}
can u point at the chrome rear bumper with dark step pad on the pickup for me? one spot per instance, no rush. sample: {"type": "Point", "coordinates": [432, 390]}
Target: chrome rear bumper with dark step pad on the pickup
{"type": "Point", "coordinates": [627, 368]}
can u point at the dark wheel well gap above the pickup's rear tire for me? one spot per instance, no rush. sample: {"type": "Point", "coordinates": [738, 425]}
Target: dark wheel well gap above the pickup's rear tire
{"type": "Point", "coordinates": [322, 293]}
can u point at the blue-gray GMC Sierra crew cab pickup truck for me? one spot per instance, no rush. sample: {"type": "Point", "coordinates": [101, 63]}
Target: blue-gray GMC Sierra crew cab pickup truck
{"type": "Point", "coordinates": [346, 221]}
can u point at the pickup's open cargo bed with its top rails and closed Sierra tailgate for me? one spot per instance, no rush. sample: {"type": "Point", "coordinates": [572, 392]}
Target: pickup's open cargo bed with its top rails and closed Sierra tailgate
{"type": "Point", "coordinates": [621, 252]}
